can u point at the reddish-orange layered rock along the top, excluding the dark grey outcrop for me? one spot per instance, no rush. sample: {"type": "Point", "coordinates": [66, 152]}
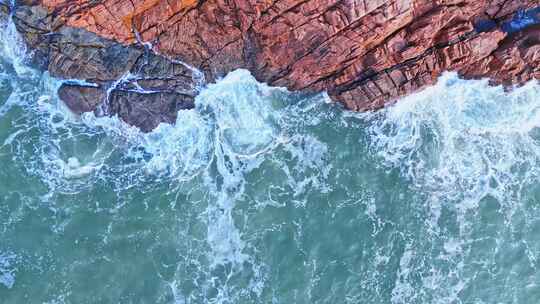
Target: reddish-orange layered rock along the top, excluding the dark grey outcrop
{"type": "Point", "coordinates": [365, 53]}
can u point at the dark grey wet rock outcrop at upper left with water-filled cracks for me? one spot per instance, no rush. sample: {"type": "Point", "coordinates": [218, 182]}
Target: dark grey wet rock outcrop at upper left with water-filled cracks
{"type": "Point", "coordinates": [142, 88]}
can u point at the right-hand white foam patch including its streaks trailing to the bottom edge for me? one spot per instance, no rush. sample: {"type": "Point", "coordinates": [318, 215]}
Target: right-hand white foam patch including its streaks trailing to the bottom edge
{"type": "Point", "coordinates": [458, 143]}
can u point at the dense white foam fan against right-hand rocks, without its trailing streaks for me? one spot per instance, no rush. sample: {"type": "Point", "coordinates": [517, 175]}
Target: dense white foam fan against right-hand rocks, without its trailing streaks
{"type": "Point", "coordinates": [461, 134]}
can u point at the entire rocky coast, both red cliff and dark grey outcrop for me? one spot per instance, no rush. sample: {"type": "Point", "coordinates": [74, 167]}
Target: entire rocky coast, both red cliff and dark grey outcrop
{"type": "Point", "coordinates": [365, 53]}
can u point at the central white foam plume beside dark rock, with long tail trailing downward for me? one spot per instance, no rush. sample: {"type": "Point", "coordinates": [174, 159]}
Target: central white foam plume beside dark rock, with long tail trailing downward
{"type": "Point", "coordinates": [224, 138]}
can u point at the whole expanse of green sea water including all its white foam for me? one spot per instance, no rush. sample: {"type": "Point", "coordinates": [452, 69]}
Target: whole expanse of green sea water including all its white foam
{"type": "Point", "coordinates": [260, 195]}
